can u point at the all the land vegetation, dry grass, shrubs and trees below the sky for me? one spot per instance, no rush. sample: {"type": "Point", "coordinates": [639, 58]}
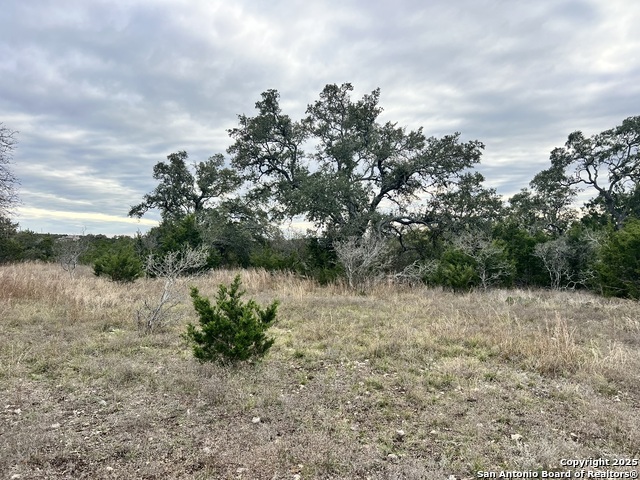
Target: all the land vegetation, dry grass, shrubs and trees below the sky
{"type": "Point", "coordinates": [426, 328]}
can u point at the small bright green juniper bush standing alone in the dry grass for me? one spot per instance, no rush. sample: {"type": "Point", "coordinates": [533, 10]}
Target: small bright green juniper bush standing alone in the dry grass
{"type": "Point", "coordinates": [230, 331]}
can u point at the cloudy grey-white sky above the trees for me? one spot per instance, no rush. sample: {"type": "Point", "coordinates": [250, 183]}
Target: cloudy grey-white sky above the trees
{"type": "Point", "coordinates": [101, 91]}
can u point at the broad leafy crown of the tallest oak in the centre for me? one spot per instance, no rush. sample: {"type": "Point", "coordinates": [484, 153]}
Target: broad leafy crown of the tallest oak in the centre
{"type": "Point", "coordinates": [361, 174]}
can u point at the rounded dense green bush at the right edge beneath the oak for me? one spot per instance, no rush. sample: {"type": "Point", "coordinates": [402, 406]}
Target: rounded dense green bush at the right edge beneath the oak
{"type": "Point", "coordinates": [618, 265]}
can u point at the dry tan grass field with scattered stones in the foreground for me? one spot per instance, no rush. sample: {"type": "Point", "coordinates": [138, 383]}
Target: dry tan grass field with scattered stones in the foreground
{"type": "Point", "coordinates": [401, 383]}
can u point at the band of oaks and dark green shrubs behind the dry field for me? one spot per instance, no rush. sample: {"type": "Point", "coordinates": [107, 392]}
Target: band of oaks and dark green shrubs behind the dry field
{"type": "Point", "coordinates": [387, 202]}
